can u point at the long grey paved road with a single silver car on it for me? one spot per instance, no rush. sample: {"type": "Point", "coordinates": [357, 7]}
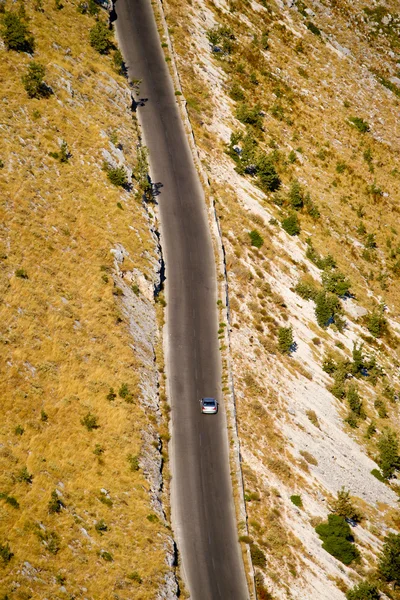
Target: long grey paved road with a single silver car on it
{"type": "Point", "coordinates": [203, 512]}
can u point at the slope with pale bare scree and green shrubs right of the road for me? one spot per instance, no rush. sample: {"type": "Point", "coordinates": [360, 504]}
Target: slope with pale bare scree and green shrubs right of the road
{"type": "Point", "coordinates": [295, 110]}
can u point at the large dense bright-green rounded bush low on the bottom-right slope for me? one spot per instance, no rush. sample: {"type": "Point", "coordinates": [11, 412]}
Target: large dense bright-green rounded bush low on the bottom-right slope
{"type": "Point", "coordinates": [337, 539]}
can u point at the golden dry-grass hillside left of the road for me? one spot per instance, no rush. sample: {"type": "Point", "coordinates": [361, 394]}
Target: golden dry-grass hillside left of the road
{"type": "Point", "coordinates": [81, 427]}
